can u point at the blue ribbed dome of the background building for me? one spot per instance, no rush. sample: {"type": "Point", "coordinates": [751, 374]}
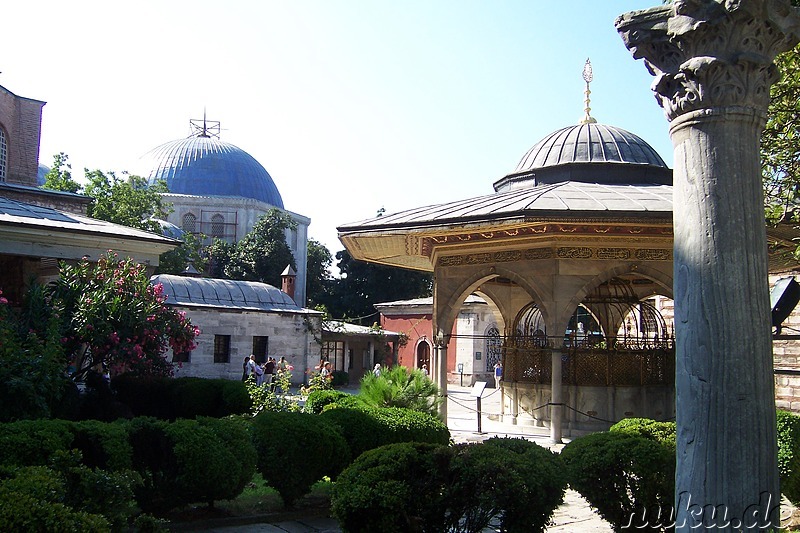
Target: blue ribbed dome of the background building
{"type": "Point", "coordinates": [206, 166]}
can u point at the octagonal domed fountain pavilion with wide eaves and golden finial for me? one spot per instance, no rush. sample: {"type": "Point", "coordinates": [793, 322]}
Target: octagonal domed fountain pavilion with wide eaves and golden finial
{"type": "Point", "coordinates": [573, 253]}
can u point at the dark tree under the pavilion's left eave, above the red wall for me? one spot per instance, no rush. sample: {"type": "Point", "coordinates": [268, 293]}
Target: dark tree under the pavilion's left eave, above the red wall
{"type": "Point", "coordinates": [363, 285]}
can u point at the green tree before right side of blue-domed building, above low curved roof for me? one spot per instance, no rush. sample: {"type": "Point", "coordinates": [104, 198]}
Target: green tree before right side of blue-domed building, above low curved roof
{"type": "Point", "coordinates": [263, 254]}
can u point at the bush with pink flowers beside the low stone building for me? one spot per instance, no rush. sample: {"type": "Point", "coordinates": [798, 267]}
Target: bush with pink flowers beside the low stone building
{"type": "Point", "coordinates": [116, 318]}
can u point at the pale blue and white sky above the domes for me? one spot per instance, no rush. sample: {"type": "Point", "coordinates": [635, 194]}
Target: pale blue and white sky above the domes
{"type": "Point", "coordinates": [350, 105]}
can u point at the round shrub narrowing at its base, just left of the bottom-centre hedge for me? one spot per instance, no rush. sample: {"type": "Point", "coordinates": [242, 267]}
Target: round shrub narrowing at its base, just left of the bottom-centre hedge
{"type": "Point", "coordinates": [295, 450]}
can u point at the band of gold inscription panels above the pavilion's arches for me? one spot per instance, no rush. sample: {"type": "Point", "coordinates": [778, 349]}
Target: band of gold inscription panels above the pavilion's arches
{"type": "Point", "coordinates": [564, 252]}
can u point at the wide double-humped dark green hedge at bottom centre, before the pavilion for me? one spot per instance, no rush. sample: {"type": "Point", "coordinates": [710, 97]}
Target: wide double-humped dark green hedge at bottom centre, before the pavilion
{"type": "Point", "coordinates": [464, 488]}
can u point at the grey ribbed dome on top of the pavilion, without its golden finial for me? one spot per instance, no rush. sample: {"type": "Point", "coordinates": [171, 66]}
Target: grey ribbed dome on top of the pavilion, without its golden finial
{"type": "Point", "coordinates": [589, 152]}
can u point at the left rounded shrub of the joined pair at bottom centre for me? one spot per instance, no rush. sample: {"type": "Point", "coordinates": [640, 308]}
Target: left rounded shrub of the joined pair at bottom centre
{"type": "Point", "coordinates": [393, 489]}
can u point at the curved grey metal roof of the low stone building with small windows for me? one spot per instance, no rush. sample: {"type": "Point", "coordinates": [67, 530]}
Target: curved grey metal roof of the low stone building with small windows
{"type": "Point", "coordinates": [226, 294]}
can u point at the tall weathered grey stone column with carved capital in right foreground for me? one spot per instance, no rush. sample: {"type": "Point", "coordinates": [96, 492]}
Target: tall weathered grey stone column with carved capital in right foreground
{"type": "Point", "coordinates": [713, 66]}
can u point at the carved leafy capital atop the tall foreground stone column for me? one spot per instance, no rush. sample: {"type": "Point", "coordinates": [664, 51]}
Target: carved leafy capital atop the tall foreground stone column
{"type": "Point", "coordinates": [711, 53]}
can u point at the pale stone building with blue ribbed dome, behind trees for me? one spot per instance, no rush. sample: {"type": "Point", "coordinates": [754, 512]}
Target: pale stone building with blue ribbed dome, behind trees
{"type": "Point", "coordinates": [220, 191]}
